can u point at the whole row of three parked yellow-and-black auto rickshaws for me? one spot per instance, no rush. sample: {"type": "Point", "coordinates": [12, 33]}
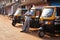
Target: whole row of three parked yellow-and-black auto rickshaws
{"type": "Point", "coordinates": [46, 19]}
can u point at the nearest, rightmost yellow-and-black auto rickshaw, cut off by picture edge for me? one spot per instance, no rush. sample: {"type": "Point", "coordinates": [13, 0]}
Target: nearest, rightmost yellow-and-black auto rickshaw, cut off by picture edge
{"type": "Point", "coordinates": [50, 21]}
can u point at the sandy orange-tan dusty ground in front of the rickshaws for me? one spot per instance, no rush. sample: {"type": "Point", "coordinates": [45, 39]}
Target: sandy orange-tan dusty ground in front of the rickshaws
{"type": "Point", "coordinates": [8, 32]}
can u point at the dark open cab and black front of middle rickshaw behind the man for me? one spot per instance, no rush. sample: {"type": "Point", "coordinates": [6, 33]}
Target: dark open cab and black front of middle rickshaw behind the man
{"type": "Point", "coordinates": [34, 23]}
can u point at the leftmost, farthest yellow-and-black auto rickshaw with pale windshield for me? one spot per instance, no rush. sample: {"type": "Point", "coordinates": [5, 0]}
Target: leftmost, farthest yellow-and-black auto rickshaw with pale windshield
{"type": "Point", "coordinates": [18, 16]}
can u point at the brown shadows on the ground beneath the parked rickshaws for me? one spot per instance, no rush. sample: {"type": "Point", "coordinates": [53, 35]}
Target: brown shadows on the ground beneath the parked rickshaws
{"type": "Point", "coordinates": [35, 33]}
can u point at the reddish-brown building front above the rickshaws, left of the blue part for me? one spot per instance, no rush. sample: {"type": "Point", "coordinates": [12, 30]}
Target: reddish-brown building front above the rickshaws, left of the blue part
{"type": "Point", "coordinates": [37, 3]}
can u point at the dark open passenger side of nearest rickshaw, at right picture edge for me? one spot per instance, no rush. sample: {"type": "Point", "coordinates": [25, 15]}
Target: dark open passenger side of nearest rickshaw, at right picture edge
{"type": "Point", "coordinates": [57, 19]}
